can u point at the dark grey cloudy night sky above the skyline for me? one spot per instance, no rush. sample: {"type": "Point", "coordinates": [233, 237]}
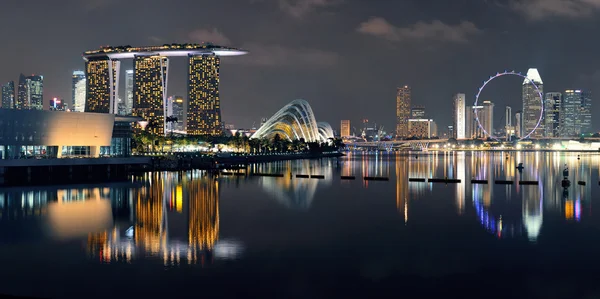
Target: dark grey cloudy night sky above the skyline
{"type": "Point", "coordinates": [346, 57]}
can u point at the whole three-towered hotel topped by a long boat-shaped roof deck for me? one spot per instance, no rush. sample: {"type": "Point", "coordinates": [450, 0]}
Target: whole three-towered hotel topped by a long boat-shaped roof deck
{"type": "Point", "coordinates": [151, 70]}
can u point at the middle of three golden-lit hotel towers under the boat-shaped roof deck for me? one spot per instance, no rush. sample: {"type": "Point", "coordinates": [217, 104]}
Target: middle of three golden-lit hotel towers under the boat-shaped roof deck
{"type": "Point", "coordinates": [150, 91]}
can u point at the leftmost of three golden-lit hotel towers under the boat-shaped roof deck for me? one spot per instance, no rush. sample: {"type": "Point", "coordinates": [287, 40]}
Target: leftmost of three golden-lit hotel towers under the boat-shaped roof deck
{"type": "Point", "coordinates": [102, 79]}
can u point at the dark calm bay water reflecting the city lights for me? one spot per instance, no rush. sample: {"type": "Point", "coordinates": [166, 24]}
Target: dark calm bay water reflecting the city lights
{"type": "Point", "coordinates": [184, 235]}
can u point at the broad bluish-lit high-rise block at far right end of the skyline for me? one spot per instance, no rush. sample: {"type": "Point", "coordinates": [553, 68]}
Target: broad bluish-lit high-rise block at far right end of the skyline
{"type": "Point", "coordinates": [575, 117]}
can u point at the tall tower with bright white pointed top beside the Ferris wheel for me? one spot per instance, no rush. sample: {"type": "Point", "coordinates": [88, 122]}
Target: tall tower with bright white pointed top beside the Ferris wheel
{"type": "Point", "coordinates": [532, 104]}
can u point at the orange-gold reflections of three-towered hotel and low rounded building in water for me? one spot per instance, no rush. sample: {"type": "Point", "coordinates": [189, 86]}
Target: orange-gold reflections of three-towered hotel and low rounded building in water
{"type": "Point", "coordinates": [171, 217]}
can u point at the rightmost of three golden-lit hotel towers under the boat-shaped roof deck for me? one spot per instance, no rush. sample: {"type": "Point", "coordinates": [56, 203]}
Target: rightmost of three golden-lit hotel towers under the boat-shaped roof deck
{"type": "Point", "coordinates": [204, 105]}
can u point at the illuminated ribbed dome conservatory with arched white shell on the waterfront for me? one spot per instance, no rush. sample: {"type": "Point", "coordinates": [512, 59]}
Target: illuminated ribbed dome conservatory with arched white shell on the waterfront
{"type": "Point", "coordinates": [295, 120]}
